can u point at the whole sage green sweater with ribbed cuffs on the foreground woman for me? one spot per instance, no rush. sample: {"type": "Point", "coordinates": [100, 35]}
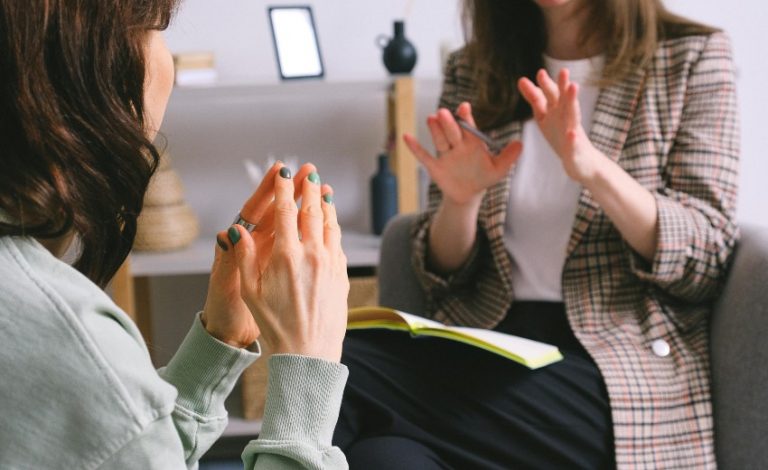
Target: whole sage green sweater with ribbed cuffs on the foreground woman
{"type": "Point", "coordinates": [78, 390]}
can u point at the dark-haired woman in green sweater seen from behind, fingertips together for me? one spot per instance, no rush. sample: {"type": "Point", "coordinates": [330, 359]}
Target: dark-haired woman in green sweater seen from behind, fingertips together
{"type": "Point", "coordinates": [83, 88]}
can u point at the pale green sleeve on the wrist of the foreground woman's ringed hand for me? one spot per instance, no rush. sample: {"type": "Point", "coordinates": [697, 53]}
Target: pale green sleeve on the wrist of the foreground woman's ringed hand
{"type": "Point", "coordinates": [204, 370]}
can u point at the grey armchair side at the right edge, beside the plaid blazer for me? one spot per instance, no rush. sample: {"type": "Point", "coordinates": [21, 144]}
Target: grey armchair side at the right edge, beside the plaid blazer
{"type": "Point", "coordinates": [739, 350]}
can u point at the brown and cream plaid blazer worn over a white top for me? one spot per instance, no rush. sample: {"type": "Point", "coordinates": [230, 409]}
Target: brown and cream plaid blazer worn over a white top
{"type": "Point", "coordinates": [673, 126]}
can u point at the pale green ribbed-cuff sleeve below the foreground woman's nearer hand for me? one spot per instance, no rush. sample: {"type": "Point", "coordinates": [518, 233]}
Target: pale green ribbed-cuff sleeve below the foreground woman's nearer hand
{"type": "Point", "coordinates": [303, 401]}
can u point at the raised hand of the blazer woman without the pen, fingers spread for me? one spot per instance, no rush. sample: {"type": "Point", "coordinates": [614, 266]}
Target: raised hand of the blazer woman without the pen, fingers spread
{"type": "Point", "coordinates": [556, 111]}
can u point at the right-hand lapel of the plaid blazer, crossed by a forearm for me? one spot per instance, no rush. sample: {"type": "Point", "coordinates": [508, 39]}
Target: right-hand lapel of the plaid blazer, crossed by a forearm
{"type": "Point", "coordinates": [611, 121]}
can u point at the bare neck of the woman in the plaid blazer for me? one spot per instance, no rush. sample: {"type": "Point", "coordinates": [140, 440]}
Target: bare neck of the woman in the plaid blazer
{"type": "Point", "coordinates": [565, 24]}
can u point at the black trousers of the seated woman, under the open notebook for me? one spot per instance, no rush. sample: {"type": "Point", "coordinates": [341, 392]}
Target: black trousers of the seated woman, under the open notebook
{"type": "Point", "coordinates": [422, 403]}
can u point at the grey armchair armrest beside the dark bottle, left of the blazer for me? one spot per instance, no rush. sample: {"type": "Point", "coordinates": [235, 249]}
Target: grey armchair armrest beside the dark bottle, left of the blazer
{"type": "Point", "coordinates": [398, 286]}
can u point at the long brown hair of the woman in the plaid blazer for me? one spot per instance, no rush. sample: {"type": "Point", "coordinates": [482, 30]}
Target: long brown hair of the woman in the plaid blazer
{"type": "Point", "coordinates": [506, 40]}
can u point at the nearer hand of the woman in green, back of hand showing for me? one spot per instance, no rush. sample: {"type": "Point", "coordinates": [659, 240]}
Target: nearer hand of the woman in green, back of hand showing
{"type": "Point", "coordinates": [294, 278]}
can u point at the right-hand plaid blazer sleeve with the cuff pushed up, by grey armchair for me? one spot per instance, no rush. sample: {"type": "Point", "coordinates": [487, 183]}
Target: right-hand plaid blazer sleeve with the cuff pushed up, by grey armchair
{"type": "Point", "coordinates": [697, 231]}
